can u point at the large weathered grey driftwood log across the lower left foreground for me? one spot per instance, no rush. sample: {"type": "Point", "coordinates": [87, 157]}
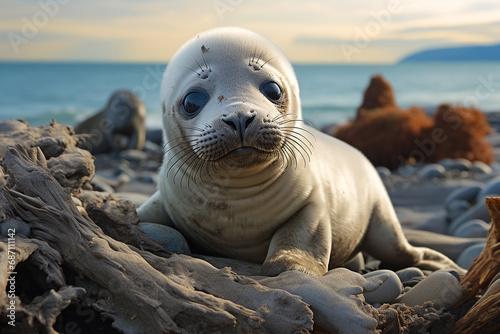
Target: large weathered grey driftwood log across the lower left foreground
{"type": "Point", "coordinates": [148, 293]}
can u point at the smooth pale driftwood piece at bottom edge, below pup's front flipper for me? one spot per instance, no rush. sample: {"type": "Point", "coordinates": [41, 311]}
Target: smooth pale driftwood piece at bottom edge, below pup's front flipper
{"type": "Point", "coordinates": [336, 298]}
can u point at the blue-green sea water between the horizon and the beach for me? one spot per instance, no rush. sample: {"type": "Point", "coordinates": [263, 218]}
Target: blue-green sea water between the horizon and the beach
{"type": "Point", "coordinates": [70, 92]}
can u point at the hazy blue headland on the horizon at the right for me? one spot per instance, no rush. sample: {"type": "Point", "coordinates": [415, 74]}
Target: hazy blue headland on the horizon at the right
{"type": "Point", "coordinates": [467, 53]}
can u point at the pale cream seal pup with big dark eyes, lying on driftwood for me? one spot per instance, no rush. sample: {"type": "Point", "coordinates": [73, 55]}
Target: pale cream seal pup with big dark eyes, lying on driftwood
{"type": "Point", "coordinates": [243, 177]}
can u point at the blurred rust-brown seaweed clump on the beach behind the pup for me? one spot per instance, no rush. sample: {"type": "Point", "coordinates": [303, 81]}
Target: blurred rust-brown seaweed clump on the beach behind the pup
{"type": "Point", "coordinates": [390, 136]}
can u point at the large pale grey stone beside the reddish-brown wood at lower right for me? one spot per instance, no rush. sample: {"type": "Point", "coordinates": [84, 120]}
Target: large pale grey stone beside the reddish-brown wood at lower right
{"type": "Point", "coordinates": [441, 287]}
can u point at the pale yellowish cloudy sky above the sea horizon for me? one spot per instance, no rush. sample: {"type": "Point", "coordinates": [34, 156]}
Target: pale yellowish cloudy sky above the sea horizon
{"type": "Point", "coordinates": [311, 31]}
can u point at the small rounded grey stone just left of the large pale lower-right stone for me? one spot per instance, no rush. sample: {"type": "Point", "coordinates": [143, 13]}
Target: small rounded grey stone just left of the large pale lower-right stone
{"type": "Point", "coordinates": [390, 289]}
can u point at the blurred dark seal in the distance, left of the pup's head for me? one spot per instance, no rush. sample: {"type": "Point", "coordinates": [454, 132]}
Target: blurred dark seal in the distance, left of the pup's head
{"type": "Point", "coordinates": [120, 125]}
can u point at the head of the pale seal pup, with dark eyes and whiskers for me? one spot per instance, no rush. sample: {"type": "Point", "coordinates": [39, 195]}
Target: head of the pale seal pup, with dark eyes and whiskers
{"type": "Point", "coordinates": [230, 101]}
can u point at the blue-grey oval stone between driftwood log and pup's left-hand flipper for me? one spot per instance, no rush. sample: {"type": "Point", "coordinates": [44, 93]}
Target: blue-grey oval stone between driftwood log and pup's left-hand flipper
{"type": "Point", "coordinates": [171, 239]}
